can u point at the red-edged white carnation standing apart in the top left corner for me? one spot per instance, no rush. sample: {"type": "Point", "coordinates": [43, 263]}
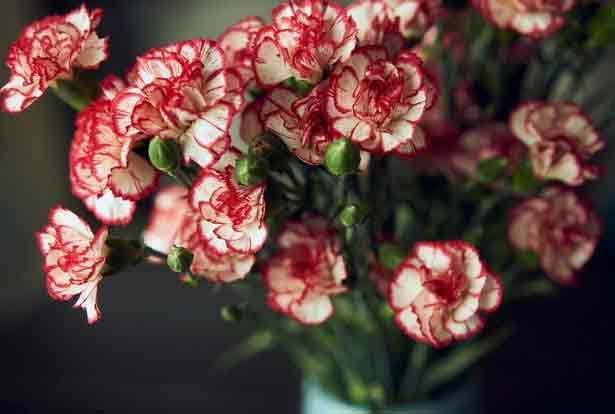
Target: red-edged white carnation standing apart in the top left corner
{"type": "Point", "coordinates": [48, 50]}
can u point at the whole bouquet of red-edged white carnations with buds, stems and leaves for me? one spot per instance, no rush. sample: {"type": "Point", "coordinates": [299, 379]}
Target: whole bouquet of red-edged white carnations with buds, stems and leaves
{"type": "Point", "coordinates": [372, 180]}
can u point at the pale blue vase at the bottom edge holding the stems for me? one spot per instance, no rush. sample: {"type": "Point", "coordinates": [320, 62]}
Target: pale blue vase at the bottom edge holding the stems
{"type": "Point", "coordinates": [463, 399]}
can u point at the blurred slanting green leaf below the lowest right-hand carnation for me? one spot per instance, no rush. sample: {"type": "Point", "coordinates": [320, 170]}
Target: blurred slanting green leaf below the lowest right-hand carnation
{"type": "Point", "coordinates": [459, 360]}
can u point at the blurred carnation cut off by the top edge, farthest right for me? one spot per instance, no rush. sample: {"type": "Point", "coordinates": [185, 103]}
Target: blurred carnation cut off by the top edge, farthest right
{"type": "Point", "coordinates": [534, 18]}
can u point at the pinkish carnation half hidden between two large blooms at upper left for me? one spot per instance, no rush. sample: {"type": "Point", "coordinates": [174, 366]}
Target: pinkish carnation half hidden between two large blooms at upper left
{"type": "Point", "coordinates": [237, 42]}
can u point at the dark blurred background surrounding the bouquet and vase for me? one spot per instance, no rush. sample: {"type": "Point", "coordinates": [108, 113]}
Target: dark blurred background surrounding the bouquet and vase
{"type": "Point", "coordinates": [154, 348]}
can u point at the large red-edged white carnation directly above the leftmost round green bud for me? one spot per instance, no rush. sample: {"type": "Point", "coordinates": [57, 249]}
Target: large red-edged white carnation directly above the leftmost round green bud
{"type": "Point", "coordinates": [181, 92]}
